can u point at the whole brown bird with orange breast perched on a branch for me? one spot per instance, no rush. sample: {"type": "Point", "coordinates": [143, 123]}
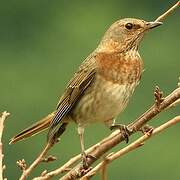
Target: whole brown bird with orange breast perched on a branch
{"type": "Point", "coordinates": [101, 87]}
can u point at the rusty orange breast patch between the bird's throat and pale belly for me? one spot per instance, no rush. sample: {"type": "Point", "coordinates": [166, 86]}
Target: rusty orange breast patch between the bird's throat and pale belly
{"type": "Point", "coordinates": [122, 68]}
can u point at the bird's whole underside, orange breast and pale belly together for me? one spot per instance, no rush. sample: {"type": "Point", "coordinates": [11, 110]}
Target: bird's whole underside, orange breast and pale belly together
{"type": "Point", "coordinates": [111, 89]}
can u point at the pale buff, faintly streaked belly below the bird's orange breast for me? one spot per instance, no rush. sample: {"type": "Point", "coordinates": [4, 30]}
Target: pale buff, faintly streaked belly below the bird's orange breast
{"type": "Point", "coordinates": [103, 101]}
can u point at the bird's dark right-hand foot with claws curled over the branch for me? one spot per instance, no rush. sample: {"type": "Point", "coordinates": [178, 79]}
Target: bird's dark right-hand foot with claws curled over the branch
{"type": "Point", "coordinates": [125, 131]}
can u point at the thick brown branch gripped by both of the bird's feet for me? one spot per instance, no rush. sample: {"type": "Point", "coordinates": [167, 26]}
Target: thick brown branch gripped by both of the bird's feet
{"type": "Point", "coordinates": [116, 137]}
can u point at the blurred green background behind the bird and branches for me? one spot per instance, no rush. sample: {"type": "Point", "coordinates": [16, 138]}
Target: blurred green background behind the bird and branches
{"type": "Point", "coordinates": [42, 42]}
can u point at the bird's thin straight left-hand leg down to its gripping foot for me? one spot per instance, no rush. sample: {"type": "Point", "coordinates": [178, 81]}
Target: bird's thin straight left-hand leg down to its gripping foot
{"type": "Point", "coordinates": [83, 154]}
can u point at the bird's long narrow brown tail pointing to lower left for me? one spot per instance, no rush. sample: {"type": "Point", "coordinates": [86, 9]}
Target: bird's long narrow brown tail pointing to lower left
{"type": "Point", "coordinates": [34, 129]}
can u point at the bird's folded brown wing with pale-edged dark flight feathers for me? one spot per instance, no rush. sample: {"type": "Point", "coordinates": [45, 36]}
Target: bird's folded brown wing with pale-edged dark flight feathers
{"type": "Point", "coordinates": [77, 85]}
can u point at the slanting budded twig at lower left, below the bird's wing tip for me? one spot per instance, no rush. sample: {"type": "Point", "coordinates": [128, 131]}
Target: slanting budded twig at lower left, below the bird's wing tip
{"type": "Point", "coordinates": [38, 160]}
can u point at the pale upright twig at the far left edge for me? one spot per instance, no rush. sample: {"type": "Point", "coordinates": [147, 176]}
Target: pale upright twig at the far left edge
{"type": "Point", "coordinates": [2, 119]}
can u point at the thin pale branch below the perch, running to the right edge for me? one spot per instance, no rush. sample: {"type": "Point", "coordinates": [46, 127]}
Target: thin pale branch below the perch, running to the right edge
{"type": "Point", "coordinates": [138, 143]}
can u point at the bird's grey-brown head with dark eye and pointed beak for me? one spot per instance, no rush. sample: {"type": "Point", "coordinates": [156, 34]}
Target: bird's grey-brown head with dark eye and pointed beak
{"type": "Point", "coordinates": [125, 34]}
